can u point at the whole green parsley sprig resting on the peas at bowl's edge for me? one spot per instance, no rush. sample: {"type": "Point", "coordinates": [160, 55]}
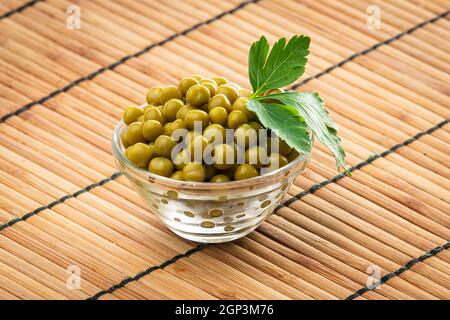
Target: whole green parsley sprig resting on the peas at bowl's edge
{"type": "Point", "coordinates": [293, 116]}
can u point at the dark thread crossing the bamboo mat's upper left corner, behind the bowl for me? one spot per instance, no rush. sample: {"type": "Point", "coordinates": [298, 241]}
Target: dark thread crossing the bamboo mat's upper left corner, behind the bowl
{"type": "Point", "coordinates": [114, 65]}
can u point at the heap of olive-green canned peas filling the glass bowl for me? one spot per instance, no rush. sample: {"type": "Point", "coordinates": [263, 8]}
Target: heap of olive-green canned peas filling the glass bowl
{"type": "Point", "coordinates": [216, 104]}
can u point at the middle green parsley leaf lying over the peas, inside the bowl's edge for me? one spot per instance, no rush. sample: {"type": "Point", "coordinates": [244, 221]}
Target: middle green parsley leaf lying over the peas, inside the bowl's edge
{"type": "Point", "coordinates": [285, 122]}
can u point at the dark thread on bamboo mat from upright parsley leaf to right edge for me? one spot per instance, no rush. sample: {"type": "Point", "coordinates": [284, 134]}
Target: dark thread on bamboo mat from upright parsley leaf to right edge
{"type": "Point", "coordinates": [370, 49]}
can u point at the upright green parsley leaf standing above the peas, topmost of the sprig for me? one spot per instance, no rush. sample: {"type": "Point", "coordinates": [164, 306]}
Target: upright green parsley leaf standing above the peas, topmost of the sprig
{"type": "Point", "coordinates": [283, 65]}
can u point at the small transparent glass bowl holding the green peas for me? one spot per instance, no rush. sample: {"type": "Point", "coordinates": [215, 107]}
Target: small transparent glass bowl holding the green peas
{"type": "Point", "coordinates": [209, 212]}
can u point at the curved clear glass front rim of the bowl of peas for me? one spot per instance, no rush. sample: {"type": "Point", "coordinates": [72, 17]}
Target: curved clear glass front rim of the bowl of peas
{"type": "Point", "coordinates": [147, 175]}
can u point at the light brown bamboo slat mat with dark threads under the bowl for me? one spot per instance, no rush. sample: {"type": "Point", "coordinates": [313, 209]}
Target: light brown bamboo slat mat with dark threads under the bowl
{"type": "Point", "coordinates": [63, 204]}
